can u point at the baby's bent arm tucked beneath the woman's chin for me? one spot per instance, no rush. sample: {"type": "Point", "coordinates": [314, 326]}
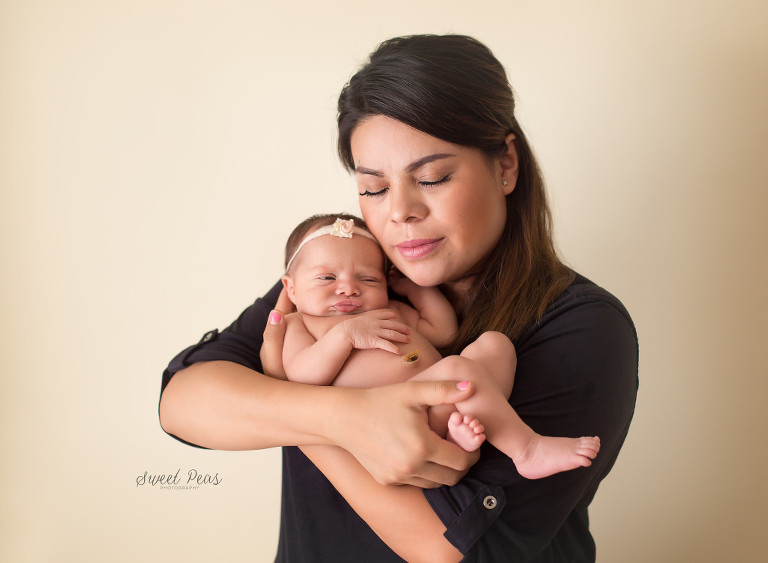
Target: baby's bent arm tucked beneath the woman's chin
{"type": "Point", "coordinates": [437, 319]}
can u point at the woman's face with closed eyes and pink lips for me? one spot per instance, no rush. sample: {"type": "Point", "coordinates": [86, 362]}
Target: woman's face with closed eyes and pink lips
{"type": "Point", "coordinates": [438, 209]}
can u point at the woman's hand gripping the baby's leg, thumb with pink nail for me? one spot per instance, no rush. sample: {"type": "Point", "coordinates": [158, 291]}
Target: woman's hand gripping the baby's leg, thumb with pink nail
{"type": "Point", "coordinates": [386, 430]}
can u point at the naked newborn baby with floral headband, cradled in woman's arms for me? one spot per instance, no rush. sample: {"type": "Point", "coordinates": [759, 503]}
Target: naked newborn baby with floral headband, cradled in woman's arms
{"type": "Point", "coordinates": [347, 332]}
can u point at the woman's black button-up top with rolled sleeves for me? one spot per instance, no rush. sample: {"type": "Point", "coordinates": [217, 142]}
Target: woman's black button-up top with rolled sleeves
{"type": "Point", "coordinates": [576, 376]}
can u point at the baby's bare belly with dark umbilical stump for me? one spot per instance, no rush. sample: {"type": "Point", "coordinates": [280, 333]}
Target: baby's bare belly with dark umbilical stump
{"type": "Point", "coordinates": [370, 368]}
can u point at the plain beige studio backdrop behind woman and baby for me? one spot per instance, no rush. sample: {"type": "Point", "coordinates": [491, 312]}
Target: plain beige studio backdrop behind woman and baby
{"type": "Point", "coordinates": [154, 155]}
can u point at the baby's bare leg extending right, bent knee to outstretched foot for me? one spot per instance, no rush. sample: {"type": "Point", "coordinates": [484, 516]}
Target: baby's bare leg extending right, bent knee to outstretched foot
{"type": "Point", "coordinates": [490, 362]}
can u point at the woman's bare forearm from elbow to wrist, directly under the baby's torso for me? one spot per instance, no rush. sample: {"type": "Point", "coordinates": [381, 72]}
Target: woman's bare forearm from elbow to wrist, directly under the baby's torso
{"type": "Point", "coordinates": [223, 405]}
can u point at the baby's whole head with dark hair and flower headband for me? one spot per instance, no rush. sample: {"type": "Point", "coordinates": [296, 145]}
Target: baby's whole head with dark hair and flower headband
{"type": "Point", "coordinates": [334, 266]}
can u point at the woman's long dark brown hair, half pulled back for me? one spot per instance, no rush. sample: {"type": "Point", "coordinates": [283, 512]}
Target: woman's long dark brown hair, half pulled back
{"type": "Point", "coordinates": [453, 88]}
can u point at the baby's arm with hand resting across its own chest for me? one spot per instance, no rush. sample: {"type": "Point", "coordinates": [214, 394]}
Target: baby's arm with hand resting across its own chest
{"type": "Point", "coordinates": [318, 362]}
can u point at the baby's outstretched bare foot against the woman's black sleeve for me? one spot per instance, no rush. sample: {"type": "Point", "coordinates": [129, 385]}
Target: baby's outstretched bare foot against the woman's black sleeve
{"type": "Point", "coordinates": [546, 455]}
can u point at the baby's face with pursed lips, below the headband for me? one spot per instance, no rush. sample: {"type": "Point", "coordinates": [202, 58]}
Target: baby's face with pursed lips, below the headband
{"type": "Point", "coordinates": [338, 276]}
